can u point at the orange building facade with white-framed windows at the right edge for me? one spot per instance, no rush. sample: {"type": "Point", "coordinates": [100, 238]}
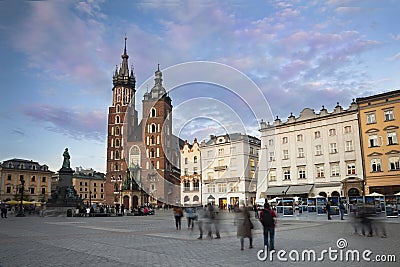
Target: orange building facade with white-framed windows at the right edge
{"type": "Point", "coordinates": [379, 130]}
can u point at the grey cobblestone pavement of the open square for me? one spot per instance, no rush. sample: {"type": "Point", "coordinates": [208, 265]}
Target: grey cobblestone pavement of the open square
{"type": "Point", "coordinates": [153, 241]}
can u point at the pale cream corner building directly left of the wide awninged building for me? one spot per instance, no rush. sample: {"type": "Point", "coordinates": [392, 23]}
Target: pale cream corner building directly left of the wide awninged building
{"type": "Point", "coordinates": [229, 169]}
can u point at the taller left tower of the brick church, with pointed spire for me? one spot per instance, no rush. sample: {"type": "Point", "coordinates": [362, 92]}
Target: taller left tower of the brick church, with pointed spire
{"type": "Point", "coordinates": [123, 102]}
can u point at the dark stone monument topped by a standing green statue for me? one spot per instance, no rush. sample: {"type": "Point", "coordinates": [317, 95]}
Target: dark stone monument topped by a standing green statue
{"type": "Point", "coordinates": [65, 196]}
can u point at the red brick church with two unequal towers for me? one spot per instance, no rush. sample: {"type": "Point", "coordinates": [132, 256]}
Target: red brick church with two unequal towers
{"type": "Point", "coordinates": [142, 155]}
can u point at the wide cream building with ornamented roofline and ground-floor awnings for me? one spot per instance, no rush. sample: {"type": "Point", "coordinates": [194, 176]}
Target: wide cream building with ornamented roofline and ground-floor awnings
{"type": "Point", "coordinates": [313, 154]}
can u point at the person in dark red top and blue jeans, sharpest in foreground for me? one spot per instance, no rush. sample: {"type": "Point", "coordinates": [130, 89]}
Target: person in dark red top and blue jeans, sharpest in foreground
{"type": "Point", "coordinates": [268, 219]}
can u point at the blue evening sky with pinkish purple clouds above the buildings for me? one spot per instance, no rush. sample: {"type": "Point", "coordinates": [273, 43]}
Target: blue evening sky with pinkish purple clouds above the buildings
{"type": "Point", "coordinates": [224, 63]}
